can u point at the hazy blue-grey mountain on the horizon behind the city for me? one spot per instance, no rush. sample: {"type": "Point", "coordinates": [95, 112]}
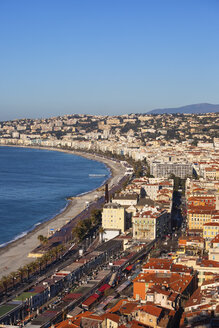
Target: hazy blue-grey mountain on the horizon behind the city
{"type": "Point", "coordinates": [189, 109]}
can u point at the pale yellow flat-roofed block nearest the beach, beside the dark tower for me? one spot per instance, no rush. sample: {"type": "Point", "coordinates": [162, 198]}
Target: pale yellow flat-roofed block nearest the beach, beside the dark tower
{"type": "Point", "coordinates": [113, 217]}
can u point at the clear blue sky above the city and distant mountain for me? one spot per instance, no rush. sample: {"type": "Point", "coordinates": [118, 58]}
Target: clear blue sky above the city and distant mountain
{"type": "Point", "coordinates": [106, 56]}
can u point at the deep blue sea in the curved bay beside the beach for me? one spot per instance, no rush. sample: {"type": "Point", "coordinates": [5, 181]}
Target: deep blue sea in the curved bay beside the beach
{"type": "Point", "coordinates": [35, 185]}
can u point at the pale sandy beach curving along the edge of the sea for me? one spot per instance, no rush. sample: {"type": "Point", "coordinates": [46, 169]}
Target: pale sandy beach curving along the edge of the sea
{"type": "Point", "coordinates": [15, 254]}
